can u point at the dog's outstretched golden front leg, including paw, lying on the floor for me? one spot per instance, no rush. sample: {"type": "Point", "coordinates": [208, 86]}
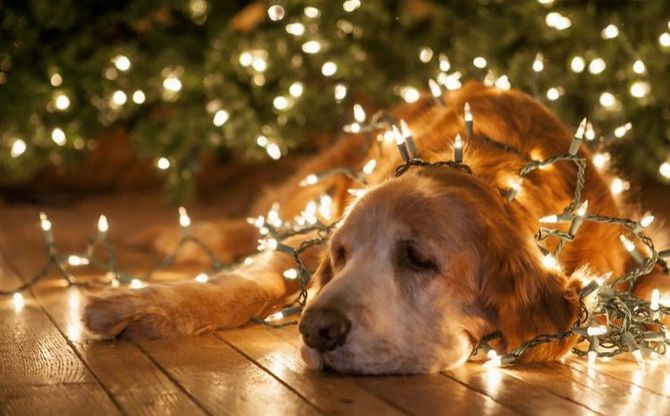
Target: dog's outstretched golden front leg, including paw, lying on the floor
{"type": "Point", "coordinates": [190, 308]}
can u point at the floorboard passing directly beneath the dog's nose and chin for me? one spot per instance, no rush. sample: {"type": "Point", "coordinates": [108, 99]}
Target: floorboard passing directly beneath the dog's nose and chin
{"type": "Point", "coordinates": [330, 393]}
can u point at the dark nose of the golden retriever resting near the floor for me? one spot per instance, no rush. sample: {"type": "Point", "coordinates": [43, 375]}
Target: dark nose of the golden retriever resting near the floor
{"type": "Point", "coordinates": [324, 329]}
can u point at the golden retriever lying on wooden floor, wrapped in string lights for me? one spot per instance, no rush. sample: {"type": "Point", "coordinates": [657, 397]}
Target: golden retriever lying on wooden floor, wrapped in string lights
{"type": "Point", "coordinates": [422, 265]}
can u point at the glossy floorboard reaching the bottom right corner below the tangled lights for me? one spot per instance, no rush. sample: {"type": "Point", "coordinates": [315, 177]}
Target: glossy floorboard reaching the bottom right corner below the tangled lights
{"type": "Point", "coordinates": [598, 392]}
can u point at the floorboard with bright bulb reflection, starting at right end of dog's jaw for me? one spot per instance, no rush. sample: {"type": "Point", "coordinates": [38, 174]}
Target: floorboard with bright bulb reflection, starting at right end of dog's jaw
{"type": "Point", "coordinates": [513, 392]}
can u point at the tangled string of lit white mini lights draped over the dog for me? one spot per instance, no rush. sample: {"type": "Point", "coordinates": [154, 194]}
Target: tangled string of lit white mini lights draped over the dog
{"type": "Point", "coordinates": [618, 322]}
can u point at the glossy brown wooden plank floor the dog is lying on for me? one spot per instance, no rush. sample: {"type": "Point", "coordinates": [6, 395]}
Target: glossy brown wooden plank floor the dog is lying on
{"type": "Point", "coordinates": [48, 365]}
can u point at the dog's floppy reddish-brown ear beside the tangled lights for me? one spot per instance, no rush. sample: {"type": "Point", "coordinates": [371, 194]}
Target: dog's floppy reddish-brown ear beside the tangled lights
{"type": "Point", "coordinates": [528, 299]}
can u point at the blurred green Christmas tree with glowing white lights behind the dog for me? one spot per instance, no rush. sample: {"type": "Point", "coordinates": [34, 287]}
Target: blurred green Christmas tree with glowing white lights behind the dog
{"type": "Point", "coordinates": [189, 78]}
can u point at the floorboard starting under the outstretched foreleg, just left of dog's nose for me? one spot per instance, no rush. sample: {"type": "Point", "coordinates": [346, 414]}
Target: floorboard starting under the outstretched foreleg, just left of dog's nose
{"type": "Point", "coordinates": [222, 380]}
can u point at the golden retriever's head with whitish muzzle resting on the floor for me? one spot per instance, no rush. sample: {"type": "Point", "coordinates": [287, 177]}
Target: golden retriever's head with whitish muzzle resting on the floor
{"type": "Point", "coordinates": [421, 268]}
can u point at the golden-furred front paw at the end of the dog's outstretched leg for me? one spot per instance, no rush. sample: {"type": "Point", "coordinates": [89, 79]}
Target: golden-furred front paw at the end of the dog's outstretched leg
{"type": "Point", "coordinates": [128, 313]}
